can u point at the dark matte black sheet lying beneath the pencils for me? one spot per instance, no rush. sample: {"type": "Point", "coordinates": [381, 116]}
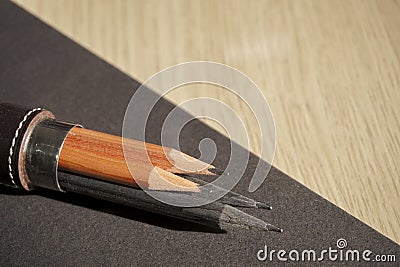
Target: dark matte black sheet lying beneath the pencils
{"type": "Point", "coordinates": [41, 67]}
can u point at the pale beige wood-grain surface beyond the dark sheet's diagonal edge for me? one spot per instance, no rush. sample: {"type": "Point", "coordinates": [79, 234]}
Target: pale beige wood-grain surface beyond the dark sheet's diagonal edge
{"type": "Point", "coordinates": [329, 69]}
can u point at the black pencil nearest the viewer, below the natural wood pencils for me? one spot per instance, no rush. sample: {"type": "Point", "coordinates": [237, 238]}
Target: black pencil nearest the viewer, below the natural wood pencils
{"type": "Point", "coordinates": [215, 215]}
